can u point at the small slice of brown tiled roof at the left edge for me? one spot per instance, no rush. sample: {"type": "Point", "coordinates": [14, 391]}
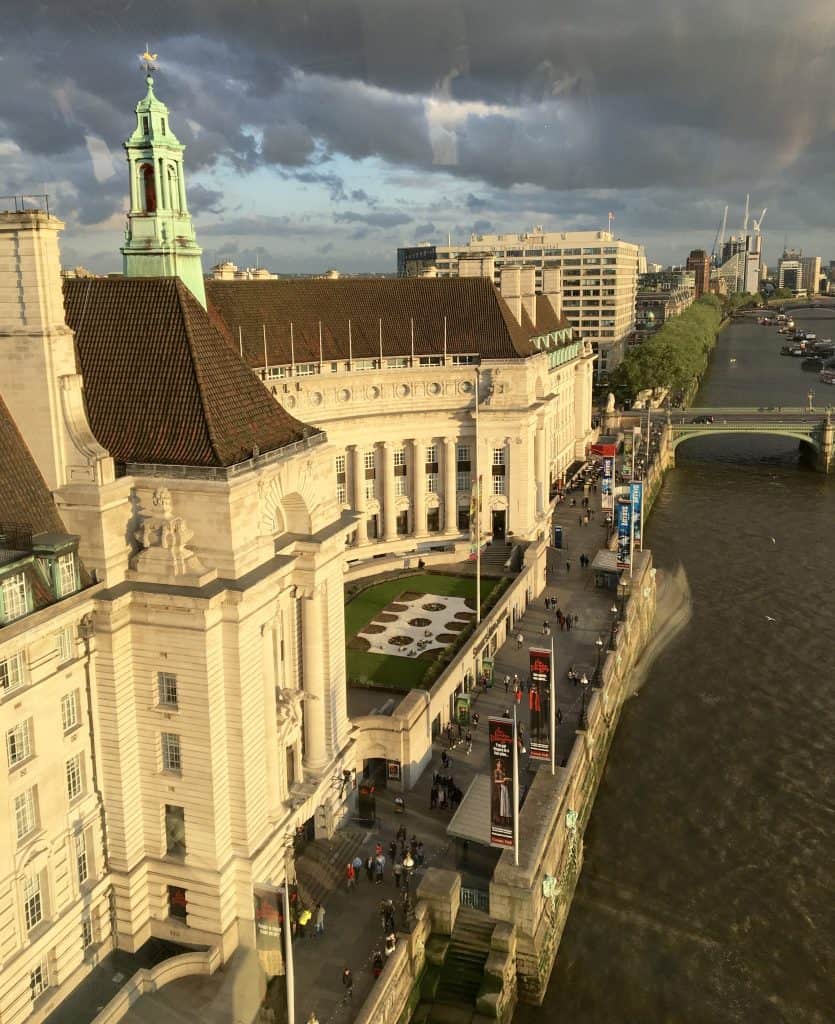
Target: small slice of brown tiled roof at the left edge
{"type": "Point", "coordinates": [25, 498]}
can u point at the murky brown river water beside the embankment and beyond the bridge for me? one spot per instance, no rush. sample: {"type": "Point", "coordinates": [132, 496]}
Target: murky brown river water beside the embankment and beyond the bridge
{"type": "Point", "coordinates": [707, 891]}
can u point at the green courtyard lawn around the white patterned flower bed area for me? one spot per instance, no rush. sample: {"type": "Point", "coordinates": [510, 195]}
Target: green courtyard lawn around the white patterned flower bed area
{"type": "Point", "coordinates": [389, 671]}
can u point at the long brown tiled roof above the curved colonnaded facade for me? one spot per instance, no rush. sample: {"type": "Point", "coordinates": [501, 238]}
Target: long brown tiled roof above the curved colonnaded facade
{"type": "Point", "coordinates": [478, 319]}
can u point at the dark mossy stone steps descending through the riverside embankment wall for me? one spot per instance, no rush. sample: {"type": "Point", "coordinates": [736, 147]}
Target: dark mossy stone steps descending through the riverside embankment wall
{"type": "Point", "coordinates": [464, 969]}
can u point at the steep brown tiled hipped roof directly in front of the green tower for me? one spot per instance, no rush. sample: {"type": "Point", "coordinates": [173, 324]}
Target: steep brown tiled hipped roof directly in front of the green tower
{"type": "Point", "coordinates": [161, 383]}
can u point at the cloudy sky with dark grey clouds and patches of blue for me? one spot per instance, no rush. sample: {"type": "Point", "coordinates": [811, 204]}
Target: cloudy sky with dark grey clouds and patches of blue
{"type": "Point", "coordinates": [325, 134]}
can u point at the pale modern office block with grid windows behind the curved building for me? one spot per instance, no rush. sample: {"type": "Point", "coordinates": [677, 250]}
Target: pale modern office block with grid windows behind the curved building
{"type": "Point", "coordinates": [600, 277]}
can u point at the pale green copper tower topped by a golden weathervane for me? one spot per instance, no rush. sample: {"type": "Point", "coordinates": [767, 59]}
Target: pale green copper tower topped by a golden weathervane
{"type": "Point", "coordinates": [160, 238]}
